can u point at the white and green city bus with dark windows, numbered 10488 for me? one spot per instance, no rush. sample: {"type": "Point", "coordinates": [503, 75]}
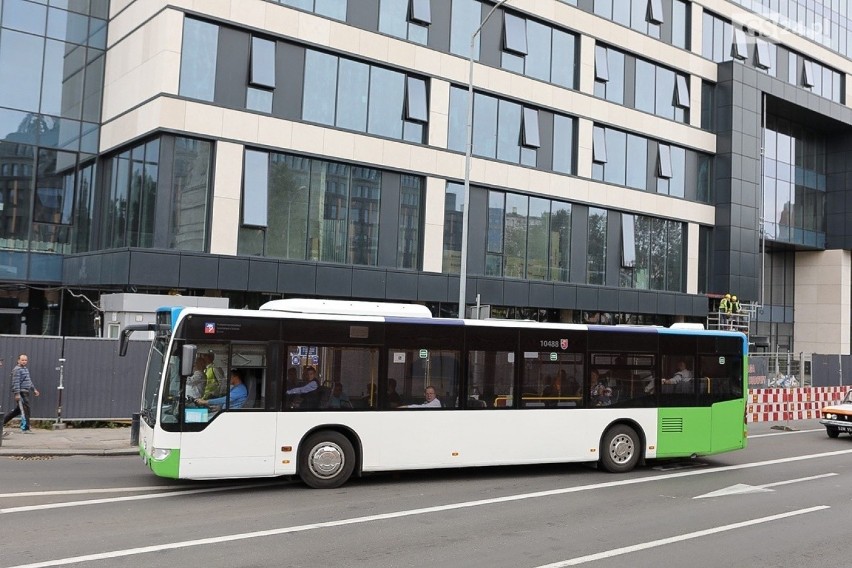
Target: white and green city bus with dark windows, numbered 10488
{"type": "Point", "coordinates": [332, 389]}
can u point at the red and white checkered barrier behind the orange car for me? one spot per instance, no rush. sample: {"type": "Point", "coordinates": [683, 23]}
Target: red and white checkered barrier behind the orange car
{"type": "Point", "coordinates": [802, 403]}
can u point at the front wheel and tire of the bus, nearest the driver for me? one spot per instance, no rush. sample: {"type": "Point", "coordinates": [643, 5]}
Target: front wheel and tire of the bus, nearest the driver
{"type": "Point", "coordinates": [327, 460]}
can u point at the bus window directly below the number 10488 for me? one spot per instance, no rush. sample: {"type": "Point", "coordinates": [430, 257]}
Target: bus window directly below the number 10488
{"type": "Point", "coordinates": [551, 379]}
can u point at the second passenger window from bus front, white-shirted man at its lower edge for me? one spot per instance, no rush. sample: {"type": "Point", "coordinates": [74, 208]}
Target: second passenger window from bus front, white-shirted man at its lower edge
{"type": "Point", "coordinates": [415, 369]}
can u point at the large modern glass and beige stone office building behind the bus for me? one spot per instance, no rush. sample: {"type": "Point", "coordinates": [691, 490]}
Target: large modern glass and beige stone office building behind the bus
{"type": "Point", "coordinates": [631, 161]}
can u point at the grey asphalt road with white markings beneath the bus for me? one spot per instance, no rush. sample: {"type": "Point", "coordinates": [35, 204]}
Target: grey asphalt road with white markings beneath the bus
{"type": "Point", "coordinates": [783, 502]}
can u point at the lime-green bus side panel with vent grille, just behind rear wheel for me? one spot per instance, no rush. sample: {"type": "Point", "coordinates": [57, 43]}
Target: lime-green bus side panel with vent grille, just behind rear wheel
{"type": "Point", "coordinates": [684, 431]}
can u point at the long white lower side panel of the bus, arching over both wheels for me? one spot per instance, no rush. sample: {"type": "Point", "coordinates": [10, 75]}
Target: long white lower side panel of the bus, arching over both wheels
{"type": "Point", "coordinates": [429, 439]}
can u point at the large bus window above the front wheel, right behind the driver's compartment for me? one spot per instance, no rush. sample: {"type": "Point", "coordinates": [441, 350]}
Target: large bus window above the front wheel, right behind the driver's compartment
{"type": "Point", "coordinates": [331, 378]}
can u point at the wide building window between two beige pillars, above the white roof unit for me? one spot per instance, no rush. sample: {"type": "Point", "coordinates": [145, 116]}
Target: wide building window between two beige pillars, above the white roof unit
{"type": "Point", "coordinates": [307, 209]}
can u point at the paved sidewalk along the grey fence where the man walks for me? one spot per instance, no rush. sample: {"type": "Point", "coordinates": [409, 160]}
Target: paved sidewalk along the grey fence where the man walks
{"type": "Point", "coordinates": [68, 442]}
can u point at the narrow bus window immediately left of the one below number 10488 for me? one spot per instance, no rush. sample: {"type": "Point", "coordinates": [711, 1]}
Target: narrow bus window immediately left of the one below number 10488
{"type": "Point", "coordinates": [490, 377]}
